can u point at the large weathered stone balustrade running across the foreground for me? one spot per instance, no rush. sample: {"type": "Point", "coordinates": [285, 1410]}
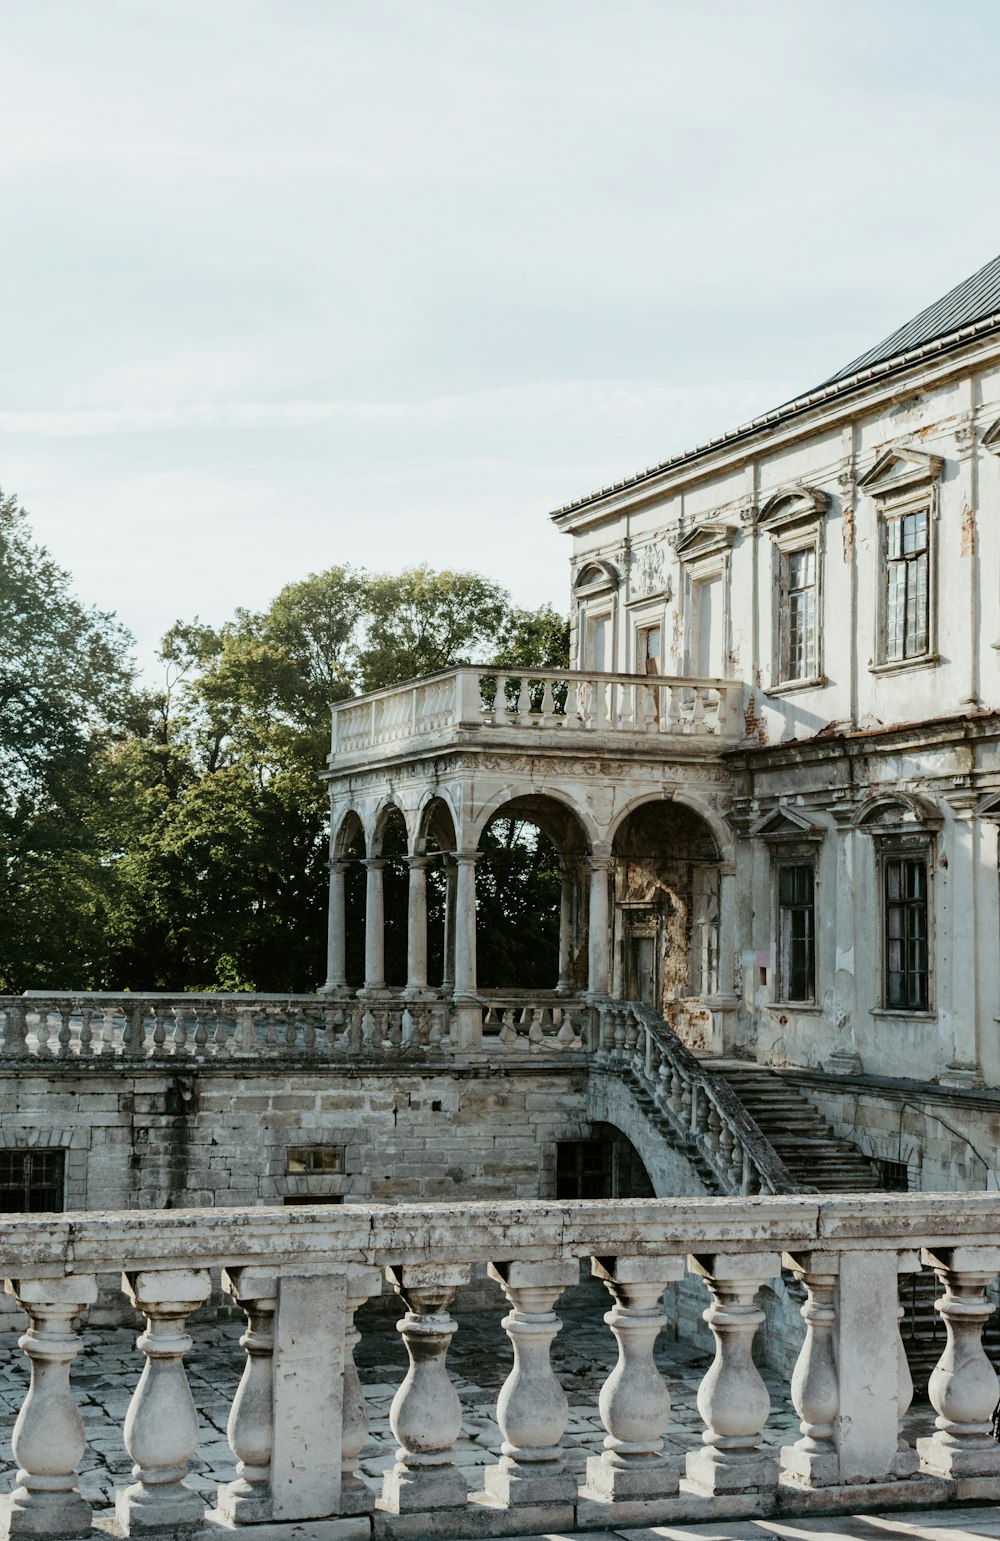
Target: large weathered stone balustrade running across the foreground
{"type": "Point", "coordinates": [300, 1418]}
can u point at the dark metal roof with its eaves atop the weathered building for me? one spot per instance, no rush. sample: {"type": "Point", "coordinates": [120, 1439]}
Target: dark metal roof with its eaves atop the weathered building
{"type": "Point", "coordinates": [970, 311]}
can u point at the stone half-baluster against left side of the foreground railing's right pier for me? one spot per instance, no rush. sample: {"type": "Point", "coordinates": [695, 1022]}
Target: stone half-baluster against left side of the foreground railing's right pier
{"type": "Point", "coordinates": [813, 1462]}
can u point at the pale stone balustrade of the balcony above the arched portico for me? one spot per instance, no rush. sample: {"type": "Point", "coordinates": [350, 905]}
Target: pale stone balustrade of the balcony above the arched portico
{"type": "Point", "coordinates": [560, 702]}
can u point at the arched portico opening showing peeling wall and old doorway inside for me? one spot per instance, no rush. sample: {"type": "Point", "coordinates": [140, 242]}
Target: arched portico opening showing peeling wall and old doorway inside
{"type": "Point", "coordinates": [666, 908]}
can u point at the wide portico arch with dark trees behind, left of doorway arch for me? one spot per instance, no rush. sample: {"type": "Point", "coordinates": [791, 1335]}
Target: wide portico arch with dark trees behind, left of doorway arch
{"type": "Point", "coordinates": [531, 899]}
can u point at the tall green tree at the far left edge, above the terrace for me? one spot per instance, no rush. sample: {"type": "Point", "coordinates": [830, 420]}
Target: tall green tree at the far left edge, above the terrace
{"type": "Point", "coordinates": [67, 694]}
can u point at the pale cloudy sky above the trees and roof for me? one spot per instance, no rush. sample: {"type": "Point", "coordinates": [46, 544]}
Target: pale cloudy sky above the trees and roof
{"type": "Point", "coordinates": [301, 283]}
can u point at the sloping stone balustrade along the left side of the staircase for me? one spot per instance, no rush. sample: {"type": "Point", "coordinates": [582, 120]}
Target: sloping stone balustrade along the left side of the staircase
{"type": "Point", "coordinates": [700, 1107]}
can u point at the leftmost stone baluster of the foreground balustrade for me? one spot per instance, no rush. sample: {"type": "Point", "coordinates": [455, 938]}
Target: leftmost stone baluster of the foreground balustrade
{"type": "Point", "coordinates": [49, 1437]}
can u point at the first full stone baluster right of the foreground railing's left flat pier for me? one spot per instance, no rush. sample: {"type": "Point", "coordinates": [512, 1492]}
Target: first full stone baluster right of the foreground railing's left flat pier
{"type": "Point", "coordinates": [426, 1415]}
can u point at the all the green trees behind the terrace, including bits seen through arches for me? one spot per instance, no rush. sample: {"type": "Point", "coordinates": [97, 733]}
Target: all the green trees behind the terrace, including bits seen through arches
{"type": "Point", "coordinates": [178, 839]}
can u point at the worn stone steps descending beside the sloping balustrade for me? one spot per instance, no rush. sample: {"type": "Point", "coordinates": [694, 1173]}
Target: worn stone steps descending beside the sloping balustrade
{"type": "Point", "coordinates": [800, 1135]}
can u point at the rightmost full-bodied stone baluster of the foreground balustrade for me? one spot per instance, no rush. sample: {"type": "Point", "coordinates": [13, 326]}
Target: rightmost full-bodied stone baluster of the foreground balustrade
{"type": "Point", "coordinates": [964, 1388]}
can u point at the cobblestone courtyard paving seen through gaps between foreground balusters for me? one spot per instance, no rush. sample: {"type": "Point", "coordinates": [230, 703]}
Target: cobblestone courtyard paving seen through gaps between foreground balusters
{"type": "Point", "coordinates": [480, 1360]}
